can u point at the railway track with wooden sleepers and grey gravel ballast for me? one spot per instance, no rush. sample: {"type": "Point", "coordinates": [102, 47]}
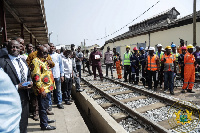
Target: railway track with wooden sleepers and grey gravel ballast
{"type": "Point", "coordinates": [138, 109]}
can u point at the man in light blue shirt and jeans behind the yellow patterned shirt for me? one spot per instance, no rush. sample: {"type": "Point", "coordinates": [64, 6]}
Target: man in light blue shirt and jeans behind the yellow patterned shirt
{"type": "Point", "coordinates": [58, 74]}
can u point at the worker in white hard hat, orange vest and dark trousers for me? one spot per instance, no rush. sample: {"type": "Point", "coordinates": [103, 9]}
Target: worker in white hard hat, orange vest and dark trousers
{"type": "Point", "coordinates": [152, 67]}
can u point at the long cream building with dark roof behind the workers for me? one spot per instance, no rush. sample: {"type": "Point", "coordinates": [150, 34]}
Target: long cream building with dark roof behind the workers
{"type": "Point", "coordinates": [163, 28]}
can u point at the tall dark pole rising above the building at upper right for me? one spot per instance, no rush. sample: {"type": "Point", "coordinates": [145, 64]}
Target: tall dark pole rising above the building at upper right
{"type": "Point", "coordinates": [194, 23]}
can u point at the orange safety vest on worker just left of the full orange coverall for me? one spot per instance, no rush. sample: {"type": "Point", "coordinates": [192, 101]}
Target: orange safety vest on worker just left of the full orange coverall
{"type": "Point", "coordinates": [169, 63]}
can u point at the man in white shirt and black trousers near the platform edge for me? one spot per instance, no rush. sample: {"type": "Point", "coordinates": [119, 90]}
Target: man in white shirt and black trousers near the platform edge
{"type": "Point", "coordinates": [68, 75]}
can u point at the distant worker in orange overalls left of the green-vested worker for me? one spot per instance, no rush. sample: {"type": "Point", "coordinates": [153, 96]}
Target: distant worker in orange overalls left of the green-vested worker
{"type": "Point", "coordinates": [118, 63]}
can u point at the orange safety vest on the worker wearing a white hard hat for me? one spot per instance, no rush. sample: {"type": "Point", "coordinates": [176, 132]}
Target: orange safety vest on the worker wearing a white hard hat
{"type": "Point", "coordinates": [152, 66]}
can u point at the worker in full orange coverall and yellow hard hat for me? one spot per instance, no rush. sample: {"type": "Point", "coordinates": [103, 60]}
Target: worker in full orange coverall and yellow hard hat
{"type": "Point", "coordinates": [189, 70]}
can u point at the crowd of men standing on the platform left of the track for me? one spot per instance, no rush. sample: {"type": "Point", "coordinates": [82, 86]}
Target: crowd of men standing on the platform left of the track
{"type": "Point", "coordinates": [36, 79]}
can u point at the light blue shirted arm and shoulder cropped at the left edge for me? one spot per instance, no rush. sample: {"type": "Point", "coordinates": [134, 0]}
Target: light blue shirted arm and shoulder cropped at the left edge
{"type": "Point", "coordinates": [10, 103]}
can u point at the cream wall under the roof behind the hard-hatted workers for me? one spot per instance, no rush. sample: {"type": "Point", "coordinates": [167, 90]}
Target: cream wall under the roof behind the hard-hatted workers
{"type": "Point", "coordinates": [165, 38]}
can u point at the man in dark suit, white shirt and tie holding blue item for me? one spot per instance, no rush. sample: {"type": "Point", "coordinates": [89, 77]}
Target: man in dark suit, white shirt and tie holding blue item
{"type": "Point", "coordinates": [17, 70]}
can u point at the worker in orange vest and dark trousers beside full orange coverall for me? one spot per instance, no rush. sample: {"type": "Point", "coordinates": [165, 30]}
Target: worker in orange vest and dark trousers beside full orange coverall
{"type": "Point", "coordinates": [168, 60]}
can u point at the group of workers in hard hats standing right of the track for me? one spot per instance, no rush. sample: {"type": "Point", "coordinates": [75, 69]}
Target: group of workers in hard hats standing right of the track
{"type": "Point", "coordinates": [157, 66]}
